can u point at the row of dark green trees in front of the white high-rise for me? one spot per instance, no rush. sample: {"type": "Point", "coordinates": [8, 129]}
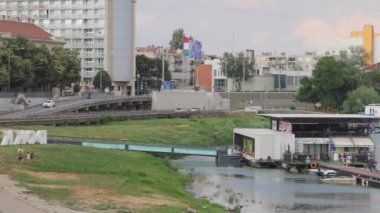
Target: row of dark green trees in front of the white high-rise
{"type": "Point", "coordinates": [26, 66]}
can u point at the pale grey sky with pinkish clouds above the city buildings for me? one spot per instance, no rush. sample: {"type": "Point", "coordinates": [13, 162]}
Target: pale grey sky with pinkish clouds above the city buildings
{"type": "Point", "coordinates": [291, 26]}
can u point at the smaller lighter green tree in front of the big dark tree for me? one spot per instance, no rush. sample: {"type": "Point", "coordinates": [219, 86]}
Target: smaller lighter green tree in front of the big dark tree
{"type": "Point", "coordinates": [357, 99]}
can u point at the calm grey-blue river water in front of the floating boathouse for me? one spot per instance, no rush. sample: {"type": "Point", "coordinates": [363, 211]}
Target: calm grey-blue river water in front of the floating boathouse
{"type": "Point", "coordinates": [274, 190]}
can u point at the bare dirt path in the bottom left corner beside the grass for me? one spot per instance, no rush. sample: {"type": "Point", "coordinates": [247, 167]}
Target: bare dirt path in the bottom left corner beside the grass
{"type": "Point", "coordinates": [17, 199]}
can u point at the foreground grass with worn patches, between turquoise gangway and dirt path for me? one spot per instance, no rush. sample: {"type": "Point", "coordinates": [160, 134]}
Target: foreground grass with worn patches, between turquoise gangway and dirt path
{"type": "Point", "coordinates": [121, 173]}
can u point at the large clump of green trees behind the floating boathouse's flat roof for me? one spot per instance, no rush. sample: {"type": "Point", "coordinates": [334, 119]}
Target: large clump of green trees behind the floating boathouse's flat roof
{"type": "Point", "coordinates": [341, 84]}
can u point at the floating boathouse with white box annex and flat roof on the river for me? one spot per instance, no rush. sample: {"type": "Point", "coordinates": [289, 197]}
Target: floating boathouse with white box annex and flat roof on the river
{"type": "Point", "coordinates": [319, 136]}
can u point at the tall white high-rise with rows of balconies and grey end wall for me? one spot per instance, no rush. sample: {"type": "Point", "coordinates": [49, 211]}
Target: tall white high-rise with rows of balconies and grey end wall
{"type": "Point", "coordinates": [102, 31]}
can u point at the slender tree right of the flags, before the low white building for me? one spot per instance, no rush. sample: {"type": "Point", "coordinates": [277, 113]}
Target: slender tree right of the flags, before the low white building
{"type": "Point", "coordinates": [233, 67]}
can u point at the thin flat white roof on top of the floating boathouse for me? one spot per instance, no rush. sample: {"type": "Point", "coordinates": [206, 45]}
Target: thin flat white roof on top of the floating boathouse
{"type": "Point", "coordinates": [320, 115]}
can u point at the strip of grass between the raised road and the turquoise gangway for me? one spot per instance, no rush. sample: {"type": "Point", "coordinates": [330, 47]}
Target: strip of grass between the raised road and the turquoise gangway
{"type": "Point", "coordinates": [202, 131]}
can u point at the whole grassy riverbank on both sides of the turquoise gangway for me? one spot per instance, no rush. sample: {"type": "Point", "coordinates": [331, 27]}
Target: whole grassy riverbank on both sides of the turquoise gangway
{"type": "Point", "coordinates": [134, 174]}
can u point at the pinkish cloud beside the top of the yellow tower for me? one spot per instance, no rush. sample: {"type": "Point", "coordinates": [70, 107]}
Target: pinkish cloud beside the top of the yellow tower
{"type": "Point", "coordinates": [313, 31]}
